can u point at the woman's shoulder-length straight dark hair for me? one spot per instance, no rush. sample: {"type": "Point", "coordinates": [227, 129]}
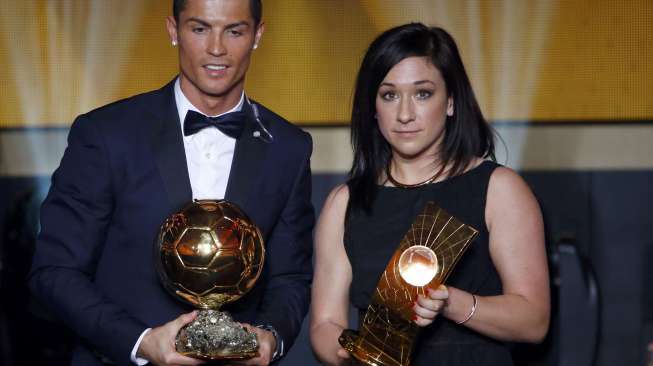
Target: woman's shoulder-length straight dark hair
{"type": "Point", "coordinates": [467, 134]}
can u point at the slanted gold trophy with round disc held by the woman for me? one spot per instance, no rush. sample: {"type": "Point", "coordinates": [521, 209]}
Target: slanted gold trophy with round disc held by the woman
{"type": "Point", "coordinates": [424, 259]}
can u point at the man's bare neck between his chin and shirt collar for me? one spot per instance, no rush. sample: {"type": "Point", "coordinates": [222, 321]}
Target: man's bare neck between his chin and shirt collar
{"type": "Point", "coordinates": [208, 104]}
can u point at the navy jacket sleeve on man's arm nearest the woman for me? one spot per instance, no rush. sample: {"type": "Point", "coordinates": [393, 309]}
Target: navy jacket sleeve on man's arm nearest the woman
{"type": "Point", "coordinates": [289, 261]}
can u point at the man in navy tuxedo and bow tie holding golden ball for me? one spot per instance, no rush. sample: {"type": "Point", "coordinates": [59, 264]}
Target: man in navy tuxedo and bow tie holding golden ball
{"type": "Point", "coordinates": [132, 163]}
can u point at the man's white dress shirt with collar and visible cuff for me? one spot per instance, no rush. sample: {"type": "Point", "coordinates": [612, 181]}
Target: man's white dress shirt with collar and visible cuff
{"type": "Point", "coordinates": [209, 154]}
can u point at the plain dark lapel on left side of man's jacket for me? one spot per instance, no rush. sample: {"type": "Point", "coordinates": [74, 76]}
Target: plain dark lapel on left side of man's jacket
{"type": "Point", "coordinates": [168, 147]}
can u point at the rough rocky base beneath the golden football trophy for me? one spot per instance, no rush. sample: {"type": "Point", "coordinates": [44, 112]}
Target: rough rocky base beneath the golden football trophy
{"type": "Point", "coordinates": [214, 335]}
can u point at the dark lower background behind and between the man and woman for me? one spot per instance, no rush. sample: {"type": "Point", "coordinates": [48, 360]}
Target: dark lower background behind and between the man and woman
{"type": "Point", "coordinates": [598, 226]}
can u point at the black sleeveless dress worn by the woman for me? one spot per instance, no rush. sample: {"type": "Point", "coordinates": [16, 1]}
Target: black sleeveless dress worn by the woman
{"type": "Point", "coordinates": [370, 241]}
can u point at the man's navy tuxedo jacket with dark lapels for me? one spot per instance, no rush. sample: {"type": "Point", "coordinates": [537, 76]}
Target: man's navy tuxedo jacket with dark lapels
{"type": "Point", "coordinates": [124, 171]}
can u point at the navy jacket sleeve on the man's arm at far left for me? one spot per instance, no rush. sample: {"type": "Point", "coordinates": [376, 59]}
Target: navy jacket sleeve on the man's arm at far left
{"type": "Point", "coordinates": [74, 221]}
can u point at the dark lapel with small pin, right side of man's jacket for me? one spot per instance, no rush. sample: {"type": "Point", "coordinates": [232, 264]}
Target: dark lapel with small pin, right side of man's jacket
{"type": "Point", "coordinates": [247, 162]}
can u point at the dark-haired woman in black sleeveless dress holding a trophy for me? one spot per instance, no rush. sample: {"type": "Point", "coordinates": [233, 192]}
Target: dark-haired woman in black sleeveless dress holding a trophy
{"type": "Point", "coordinates": [419, 135]}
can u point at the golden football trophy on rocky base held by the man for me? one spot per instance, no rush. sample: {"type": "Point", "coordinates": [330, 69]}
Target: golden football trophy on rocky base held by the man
{"type": "Point", "coordinates": [209, 254]}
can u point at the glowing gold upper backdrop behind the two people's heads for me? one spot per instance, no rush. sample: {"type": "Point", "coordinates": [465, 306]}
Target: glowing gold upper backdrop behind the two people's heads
{"type": "Point", "coordinates": [535, 60]}
